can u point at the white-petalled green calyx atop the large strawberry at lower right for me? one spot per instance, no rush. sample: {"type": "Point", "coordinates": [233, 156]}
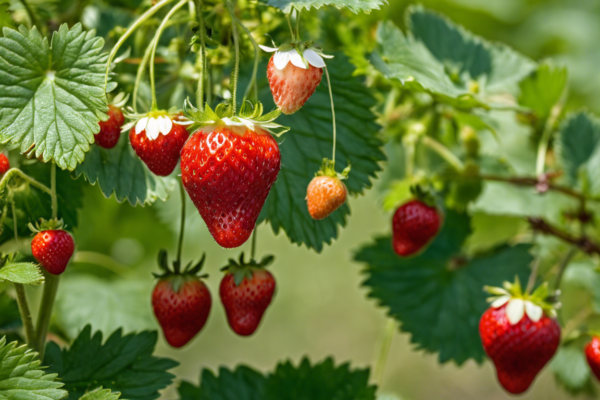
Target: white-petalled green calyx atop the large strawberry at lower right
{"type": "Point", "coordinates": [518, 303]}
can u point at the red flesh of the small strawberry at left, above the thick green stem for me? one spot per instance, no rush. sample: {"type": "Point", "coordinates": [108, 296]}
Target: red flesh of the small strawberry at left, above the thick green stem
{"type": "Point", "coordinates": [53, 249]}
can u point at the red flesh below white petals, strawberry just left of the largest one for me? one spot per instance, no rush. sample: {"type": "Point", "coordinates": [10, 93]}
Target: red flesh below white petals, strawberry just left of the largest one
{"type": "Point", "coordinates": [161, 154]}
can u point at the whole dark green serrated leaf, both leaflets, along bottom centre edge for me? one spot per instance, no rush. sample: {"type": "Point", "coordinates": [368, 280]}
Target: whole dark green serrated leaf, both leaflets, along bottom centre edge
{"type": "Point", "coordinates": [322, 381]}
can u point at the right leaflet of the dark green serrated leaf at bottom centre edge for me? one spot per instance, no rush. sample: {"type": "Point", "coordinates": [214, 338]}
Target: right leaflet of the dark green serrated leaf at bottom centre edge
{"type": "Point", "coordinates": [323, 381]}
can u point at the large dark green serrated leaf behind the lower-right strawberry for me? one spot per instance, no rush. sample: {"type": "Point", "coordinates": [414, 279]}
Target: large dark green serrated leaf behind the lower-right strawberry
{"type": "Point", "coordinates": [438, 295]}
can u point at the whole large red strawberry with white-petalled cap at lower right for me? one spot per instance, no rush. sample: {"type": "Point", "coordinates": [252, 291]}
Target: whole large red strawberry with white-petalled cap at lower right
{"type": "Point", "coordinates": [519, 336]}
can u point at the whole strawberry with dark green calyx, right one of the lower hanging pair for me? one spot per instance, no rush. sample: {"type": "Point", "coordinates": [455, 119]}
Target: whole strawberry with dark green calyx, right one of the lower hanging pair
{"type": "Point", "coordinates": [246, 291]}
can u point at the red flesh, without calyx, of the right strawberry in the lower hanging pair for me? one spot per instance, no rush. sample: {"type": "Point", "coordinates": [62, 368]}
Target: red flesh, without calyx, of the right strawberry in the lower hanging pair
{"type": "Point", "coordinates": [246, 304]}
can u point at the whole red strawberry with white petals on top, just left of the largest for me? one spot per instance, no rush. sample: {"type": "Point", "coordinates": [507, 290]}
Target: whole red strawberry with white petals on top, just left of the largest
{"type": "Point", "coordinates": [157, 140]}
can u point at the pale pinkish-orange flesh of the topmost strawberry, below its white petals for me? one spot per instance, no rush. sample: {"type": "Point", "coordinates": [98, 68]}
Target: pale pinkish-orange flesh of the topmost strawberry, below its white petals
{"type": "Point", "coordinates": [292, 86]}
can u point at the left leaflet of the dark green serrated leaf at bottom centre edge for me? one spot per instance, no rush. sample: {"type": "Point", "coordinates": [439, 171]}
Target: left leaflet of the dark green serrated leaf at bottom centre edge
{"type": "Point", "coordinates": [241, 384]}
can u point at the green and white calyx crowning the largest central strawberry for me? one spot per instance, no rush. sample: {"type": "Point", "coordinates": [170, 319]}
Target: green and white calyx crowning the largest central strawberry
{"type": "Point", "coordinates": [250, 116]}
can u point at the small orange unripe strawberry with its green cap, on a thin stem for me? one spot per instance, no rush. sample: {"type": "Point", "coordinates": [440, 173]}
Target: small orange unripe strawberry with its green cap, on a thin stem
{"type": "Point", "coordinates": [326, 192]}
